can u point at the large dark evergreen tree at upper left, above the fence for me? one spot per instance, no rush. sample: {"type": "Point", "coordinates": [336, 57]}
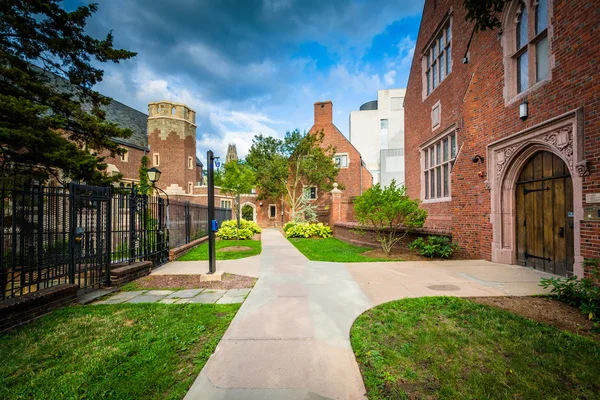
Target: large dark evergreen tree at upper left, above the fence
{"type": "Point", "coordinates": [51, 121]}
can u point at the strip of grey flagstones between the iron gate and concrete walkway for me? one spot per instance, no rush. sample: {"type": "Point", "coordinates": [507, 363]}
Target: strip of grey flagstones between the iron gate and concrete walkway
{"type": "Point", "coordinates": [179, 296]}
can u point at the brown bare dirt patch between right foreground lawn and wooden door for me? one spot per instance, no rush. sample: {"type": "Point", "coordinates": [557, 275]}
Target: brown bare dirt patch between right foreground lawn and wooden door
{"type": "Point", "coordinates": [546, 310]}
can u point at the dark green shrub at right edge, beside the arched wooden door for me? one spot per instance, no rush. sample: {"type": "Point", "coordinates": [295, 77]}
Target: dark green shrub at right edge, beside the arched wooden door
{"type": "Point", "coordinates": [583, 293]}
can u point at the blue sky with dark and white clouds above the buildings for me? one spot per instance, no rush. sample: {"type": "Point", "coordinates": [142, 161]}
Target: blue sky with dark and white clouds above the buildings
{"type": "Point", "coordinates": [256, 66]}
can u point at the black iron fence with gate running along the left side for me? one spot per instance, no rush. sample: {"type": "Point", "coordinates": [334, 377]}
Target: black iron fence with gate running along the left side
{"type": "Point", "coordinates": [55, 235]}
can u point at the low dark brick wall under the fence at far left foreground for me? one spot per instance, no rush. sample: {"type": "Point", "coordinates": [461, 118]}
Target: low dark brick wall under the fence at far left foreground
{"type": "Point", "coordinates": [18, 311]}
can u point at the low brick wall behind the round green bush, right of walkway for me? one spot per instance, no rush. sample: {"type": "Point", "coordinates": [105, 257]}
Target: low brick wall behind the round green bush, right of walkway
{"type": "Point", "coordinates": [352, 233]}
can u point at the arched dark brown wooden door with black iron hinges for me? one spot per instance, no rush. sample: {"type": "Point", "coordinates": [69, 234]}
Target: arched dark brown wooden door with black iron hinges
{"type": "Point", "coordinates": [545, 239]}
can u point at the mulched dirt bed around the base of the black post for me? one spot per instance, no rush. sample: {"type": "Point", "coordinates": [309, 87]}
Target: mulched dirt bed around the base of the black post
{"type": "Point", "coordinates": [230, 281]}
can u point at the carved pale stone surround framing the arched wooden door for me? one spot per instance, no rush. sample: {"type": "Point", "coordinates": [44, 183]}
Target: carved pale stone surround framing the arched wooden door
{"type": "Point", "coordinates": [562, 136]}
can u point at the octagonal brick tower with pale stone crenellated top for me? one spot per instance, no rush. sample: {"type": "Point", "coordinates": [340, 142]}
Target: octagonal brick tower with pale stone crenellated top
{"type": "Point", "coordinates": [172, 141]}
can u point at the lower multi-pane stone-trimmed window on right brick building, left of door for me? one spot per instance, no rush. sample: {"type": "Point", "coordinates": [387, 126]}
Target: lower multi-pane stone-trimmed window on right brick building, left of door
{"type": "Point", "coordinates": [439, 157]}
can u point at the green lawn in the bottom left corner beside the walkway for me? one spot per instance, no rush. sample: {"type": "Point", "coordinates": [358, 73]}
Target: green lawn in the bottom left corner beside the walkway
{"type": "Point", "coordinates": [122, 351]}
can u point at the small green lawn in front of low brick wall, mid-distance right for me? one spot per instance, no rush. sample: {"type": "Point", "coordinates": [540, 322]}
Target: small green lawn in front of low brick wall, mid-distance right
{"type": "Point", "coordinates": [332, 249]}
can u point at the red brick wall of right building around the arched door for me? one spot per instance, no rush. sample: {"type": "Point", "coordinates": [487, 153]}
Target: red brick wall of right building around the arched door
{"type": "Point", "coordinates": [473, 92]}
